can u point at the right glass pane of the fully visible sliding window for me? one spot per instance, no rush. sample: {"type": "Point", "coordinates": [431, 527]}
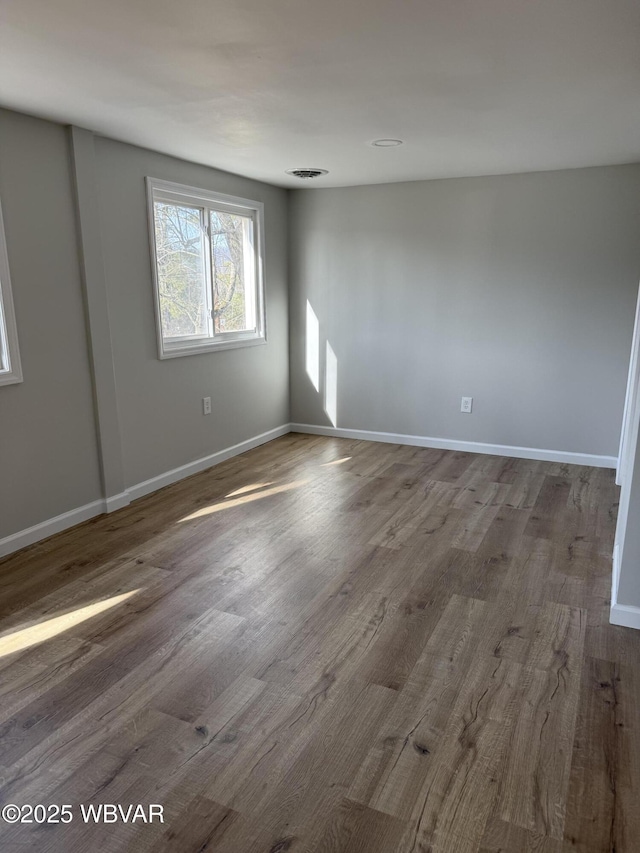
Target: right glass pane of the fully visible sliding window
{"type": "Point", "coordinates": [233, 272]}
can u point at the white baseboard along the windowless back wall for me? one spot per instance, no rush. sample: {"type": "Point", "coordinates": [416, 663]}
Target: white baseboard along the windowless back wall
{"type": "Point", "coordinates": [468, 446]}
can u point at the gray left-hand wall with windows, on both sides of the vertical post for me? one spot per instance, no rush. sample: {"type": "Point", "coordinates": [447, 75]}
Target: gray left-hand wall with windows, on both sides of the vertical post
{"type": "Point", "coordinates": [49, 456]}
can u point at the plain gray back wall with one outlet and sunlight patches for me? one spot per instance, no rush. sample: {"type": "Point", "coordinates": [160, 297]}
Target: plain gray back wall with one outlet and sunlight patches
{"type": "Point", "coordinates": [516, 290]}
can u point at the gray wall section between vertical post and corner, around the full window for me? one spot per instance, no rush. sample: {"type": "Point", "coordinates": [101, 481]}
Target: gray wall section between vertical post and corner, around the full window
{"type": "Point", "coordinates": [160, 402]}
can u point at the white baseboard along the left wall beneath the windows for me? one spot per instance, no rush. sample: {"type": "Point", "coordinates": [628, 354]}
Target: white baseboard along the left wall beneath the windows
{"type": "Point", "coordinates": [51, 526]}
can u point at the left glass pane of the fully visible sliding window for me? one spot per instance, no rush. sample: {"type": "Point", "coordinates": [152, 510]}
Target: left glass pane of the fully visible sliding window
{"type": "Point", "coordinates": [184, 306]}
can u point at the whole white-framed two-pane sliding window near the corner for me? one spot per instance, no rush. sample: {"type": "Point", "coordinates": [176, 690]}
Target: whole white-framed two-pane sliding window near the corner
{"type": "Point", "coordinates": [207, 264]}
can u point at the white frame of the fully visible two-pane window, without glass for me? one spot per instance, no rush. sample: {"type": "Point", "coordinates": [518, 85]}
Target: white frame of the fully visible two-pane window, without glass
{"type": "Point", "coordinates": [159, 190]}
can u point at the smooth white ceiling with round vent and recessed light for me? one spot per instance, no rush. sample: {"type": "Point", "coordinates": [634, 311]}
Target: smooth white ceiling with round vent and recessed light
{"type": "Point", "coordinates": [260, 86]}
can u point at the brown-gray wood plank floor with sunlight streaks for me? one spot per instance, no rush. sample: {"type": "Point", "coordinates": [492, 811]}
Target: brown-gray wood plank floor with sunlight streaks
{"type": "Point", "coordinates": [329, 645]}
